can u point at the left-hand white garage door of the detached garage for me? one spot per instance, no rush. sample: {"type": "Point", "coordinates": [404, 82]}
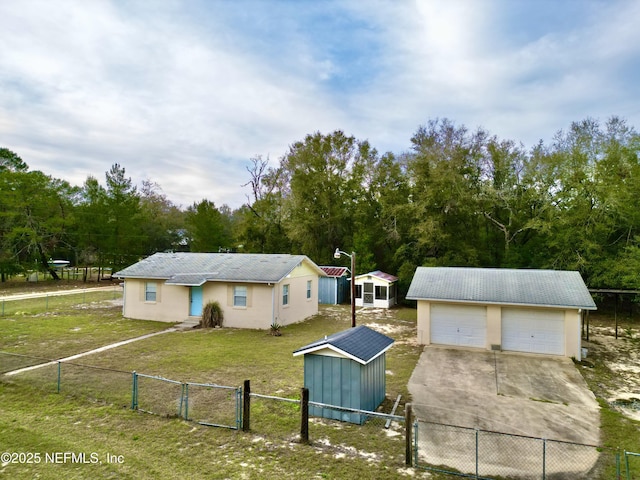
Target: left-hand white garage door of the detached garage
{"type": "Point", "coordinates": [459, 325]}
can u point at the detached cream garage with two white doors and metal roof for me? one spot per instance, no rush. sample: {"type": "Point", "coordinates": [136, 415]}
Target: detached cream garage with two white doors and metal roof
{"type": "Point", "coordinates": [533, 311]}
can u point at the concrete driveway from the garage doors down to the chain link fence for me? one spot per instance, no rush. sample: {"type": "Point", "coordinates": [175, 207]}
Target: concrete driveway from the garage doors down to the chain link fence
{"type": "Point", "coordinates": [533, 395]}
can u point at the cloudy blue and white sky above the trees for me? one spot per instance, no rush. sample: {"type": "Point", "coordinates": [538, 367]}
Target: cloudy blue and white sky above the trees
{"type": "Point", "coordinates": [185, 92]}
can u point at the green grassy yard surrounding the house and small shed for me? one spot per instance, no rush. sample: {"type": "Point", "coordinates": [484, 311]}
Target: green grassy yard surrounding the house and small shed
{"type": "Point", "coordinates": [92, 414]}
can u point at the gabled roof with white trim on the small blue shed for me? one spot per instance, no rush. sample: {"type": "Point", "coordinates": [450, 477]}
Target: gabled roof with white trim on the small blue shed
{"type": "Point", "coordinates": [360, 343]}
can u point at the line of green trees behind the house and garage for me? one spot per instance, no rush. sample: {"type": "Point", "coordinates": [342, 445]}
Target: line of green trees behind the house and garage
{"type": "Point", "coordinates": [455, 197]}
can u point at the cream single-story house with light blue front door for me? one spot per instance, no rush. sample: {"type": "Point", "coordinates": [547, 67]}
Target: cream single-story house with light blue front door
{"type": "Point", "coordinates": [254, 290]}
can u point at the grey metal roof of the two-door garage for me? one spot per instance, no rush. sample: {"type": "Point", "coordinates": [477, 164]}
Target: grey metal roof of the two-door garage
{"type": "Point", "coordinates": [551, 288]}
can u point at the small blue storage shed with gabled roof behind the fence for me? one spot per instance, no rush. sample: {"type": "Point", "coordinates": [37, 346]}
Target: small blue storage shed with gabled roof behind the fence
{"type": "Point", "coordinates": [346, 369]}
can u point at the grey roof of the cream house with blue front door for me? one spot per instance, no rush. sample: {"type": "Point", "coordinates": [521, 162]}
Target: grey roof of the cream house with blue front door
{"type": "Point", "coordinates": [194, 269]}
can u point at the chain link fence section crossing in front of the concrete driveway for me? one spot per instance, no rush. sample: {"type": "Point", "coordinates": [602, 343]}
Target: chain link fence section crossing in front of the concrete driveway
{"type": "Point", "coordinates": [485, 454]}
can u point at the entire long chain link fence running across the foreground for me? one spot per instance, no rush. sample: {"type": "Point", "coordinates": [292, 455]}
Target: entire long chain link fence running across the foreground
{"type": "Point", "coordinates": [377, 436]}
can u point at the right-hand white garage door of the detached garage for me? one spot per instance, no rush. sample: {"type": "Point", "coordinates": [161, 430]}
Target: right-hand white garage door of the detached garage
{"type": "Point", "coordinates": [534, 331]}
